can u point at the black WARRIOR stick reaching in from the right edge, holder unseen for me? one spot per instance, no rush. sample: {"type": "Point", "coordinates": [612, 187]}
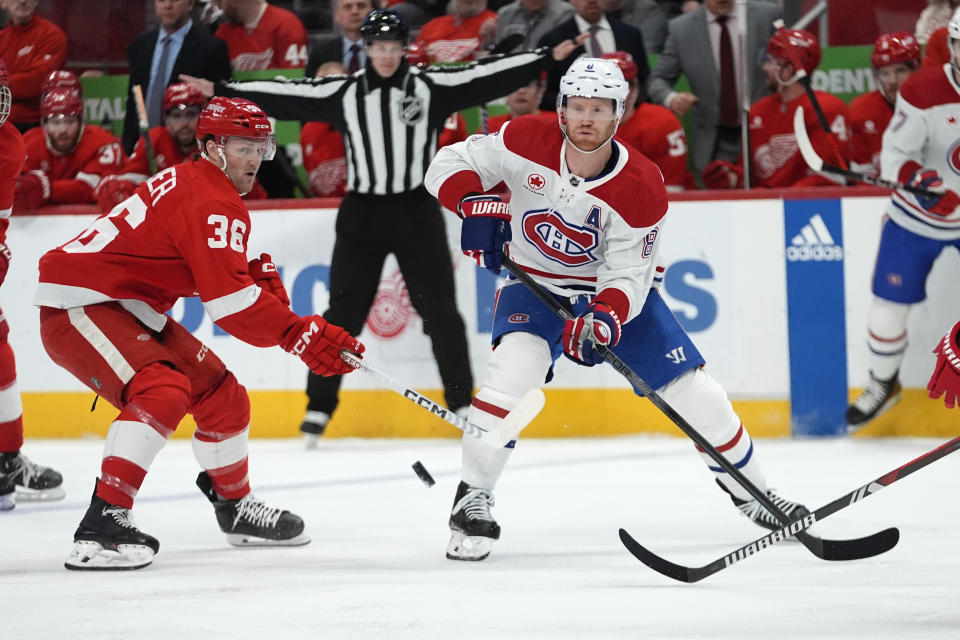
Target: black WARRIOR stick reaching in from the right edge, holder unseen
{"type": "Point", "coordinates": [695, 574]}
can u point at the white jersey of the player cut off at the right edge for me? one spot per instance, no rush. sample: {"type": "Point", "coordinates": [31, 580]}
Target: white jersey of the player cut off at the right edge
{"type": "Point", "coordinates": [924, 133]}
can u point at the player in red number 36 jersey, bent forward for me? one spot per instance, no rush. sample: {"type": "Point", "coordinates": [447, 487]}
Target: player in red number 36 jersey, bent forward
{"type": "Point", "coordinates": [103, 296]}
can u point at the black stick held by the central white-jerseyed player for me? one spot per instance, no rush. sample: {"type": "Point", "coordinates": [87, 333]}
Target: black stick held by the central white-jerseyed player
{"type": "Point", "coordinates": [825, 549]}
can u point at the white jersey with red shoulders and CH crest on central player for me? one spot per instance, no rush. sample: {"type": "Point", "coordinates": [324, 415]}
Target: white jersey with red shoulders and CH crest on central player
{"type": "Point", "coordinates": [574, 236]}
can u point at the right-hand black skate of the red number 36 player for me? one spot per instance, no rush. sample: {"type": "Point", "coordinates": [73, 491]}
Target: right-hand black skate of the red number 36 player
{"type": "Point", "coordinates": [248, 522]}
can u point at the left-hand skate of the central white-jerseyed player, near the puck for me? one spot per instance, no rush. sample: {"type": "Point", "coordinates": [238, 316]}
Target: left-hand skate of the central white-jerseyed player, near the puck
{"type": "Point", "coordinates": [472, 527]}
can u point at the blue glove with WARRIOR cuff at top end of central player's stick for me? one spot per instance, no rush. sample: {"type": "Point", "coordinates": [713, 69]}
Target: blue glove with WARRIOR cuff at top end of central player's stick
{"type": "Point", "coordinates": [485, 229]}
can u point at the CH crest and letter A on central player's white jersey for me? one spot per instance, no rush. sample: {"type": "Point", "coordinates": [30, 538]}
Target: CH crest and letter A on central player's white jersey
{"type": "Point", "coordinates": [570, 245]}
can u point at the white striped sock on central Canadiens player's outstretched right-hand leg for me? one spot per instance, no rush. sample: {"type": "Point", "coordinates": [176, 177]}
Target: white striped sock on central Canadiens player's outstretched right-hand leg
{"type": "Point", "coordinates": [703, 403]}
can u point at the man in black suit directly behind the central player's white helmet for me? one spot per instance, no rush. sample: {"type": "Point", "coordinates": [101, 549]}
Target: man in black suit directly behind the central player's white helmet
{"type": "Point", "coordinates": [606, 36]}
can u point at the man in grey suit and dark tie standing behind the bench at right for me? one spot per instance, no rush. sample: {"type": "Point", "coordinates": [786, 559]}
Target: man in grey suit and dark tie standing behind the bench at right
{"type": "Point", "coordinates": [695, 48]}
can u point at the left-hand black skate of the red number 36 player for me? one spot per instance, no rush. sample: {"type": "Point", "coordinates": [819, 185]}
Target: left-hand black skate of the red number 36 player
{"type": "Point", "coordinates": [108, 540]}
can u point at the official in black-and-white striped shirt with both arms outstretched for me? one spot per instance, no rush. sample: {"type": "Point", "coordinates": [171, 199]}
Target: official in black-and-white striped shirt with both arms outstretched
{"type": "Point", "coordinates": [389, 115]}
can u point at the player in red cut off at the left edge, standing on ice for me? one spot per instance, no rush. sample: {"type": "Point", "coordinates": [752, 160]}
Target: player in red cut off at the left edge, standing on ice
{"type": "Point", "coordinates": [19, 476]}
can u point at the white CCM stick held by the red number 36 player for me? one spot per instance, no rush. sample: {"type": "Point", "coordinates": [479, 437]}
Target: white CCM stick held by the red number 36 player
{"type": "Point", "coordinates": [526, 410]}
